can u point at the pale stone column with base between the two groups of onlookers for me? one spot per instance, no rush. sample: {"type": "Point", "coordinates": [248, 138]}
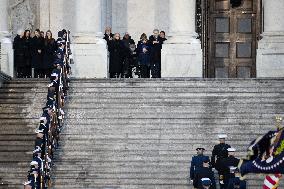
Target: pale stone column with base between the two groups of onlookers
{"type": "Point", "coordinates": [90, 50]}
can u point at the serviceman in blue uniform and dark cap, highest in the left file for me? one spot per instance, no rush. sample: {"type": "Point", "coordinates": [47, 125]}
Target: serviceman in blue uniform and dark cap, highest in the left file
{"type": "Point", "coordinates": [197, 162]}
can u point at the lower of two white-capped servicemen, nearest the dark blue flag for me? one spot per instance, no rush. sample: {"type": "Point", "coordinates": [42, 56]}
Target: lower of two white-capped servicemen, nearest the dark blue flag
{"type": "Point", "coordinates": [229, 165]}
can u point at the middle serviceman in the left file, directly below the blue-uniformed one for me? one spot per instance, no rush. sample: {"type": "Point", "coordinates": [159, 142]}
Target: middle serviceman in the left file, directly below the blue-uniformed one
{"type": "Point", "coordinates": [204, 172]}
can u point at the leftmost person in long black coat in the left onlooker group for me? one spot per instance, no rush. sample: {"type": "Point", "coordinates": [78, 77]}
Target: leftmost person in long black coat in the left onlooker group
{"type": "Point", "coordinates": [19, 54]}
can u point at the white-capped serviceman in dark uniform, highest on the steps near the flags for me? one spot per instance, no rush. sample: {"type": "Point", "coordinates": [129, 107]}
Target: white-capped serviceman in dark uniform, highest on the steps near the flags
{"type": "Point", "coordinates": [218, 154]}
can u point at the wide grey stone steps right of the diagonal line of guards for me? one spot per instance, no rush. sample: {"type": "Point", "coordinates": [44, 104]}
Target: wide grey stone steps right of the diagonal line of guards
{"type": "Point", "coordinates": [141, 134]}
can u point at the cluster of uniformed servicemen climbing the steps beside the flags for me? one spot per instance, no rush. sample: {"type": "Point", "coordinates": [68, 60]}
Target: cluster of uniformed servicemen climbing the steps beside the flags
{"type": "Point", "coordinates": [223, 160]}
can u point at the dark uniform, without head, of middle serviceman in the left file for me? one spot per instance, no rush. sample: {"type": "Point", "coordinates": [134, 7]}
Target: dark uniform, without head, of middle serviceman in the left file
{"type": "Point", "coordinates": [203, 172]}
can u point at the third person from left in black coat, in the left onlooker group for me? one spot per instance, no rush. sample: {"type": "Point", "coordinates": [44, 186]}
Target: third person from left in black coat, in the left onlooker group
{"type": "Point", "coordinates": [37, 46]}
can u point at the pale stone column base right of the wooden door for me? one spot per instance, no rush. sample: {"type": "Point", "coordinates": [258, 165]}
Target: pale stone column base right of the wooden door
{"type": "Point", "coordinates": [270, 56]}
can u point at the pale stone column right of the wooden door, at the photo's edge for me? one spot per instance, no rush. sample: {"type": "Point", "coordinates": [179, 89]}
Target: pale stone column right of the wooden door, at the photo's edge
{"type": "Point", "coordinates": [270, 53]}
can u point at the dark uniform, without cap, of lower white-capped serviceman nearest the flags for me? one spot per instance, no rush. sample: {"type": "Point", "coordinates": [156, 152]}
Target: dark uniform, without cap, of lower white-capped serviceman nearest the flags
{"type": "Point", "coordinates": [228, 162]}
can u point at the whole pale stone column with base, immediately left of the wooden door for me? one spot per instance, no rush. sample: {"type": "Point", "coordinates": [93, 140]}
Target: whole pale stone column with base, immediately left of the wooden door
{"type": "Point", "coordinates": [182, 54]}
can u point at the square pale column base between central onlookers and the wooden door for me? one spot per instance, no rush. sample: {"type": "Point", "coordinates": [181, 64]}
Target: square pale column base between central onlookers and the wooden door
{"type": "Point", "coordinates": [182, 60]}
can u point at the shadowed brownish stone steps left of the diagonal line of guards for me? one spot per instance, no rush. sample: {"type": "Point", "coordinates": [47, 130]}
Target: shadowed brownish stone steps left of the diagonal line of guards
{"type": "Point", "coordinates": [20, 108]}
